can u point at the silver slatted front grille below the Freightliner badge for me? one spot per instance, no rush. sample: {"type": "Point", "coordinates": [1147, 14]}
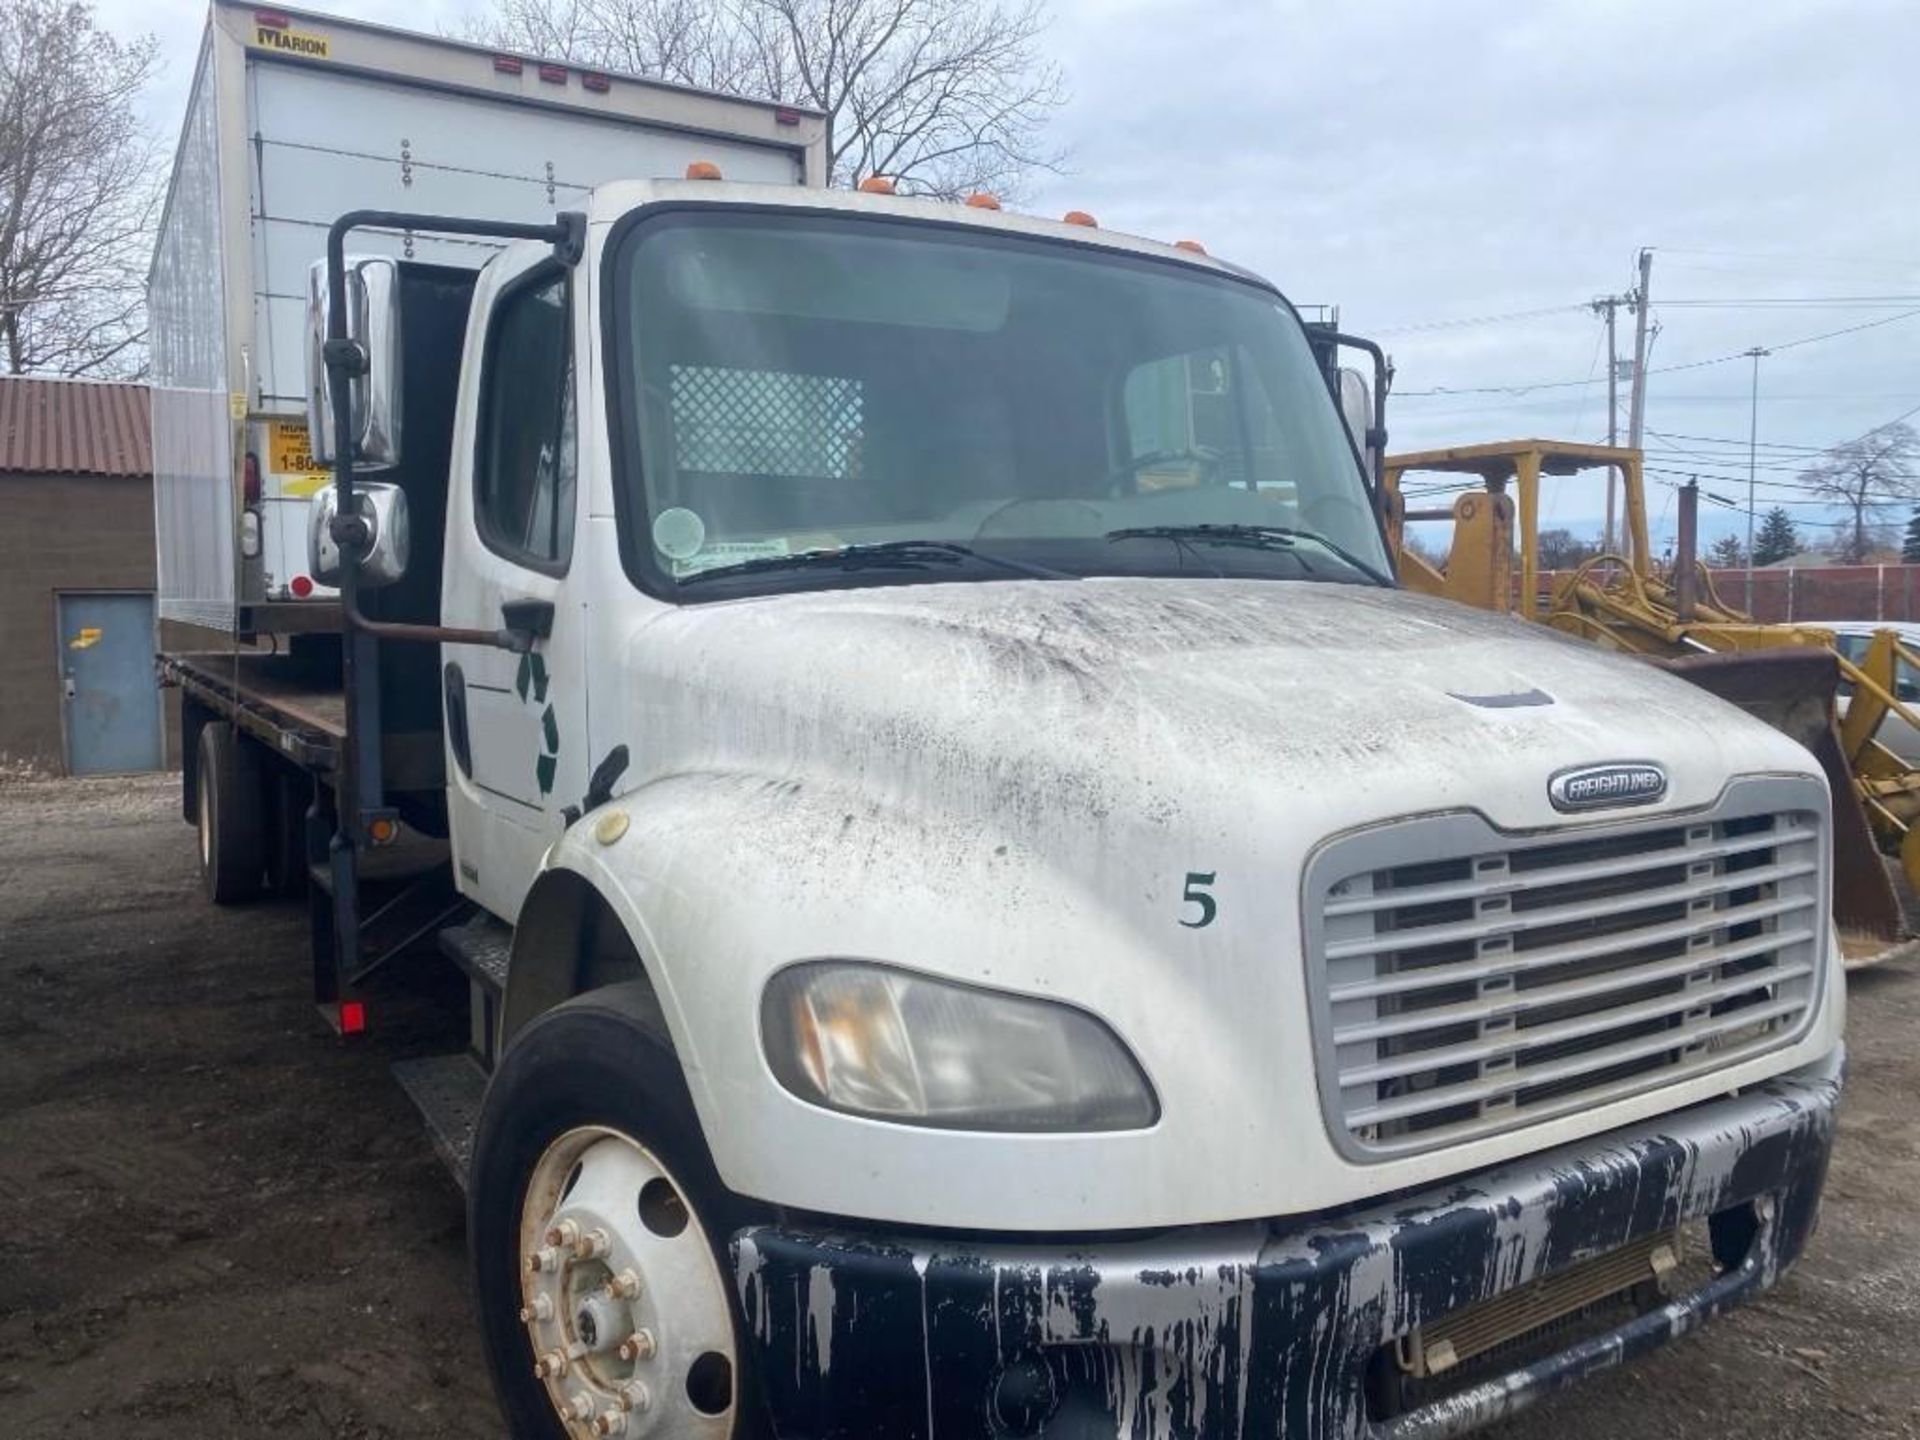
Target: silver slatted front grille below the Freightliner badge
{"type": "Point", "coordinates": [1468, 982]}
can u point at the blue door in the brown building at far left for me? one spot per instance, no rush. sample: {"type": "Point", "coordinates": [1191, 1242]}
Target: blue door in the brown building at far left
{"type": "Point", "coordinates": [108, 696]}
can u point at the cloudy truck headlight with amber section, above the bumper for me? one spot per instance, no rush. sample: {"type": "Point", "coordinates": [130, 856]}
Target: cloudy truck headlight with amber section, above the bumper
{"type": "Point", "coordinates": [901, 1047]}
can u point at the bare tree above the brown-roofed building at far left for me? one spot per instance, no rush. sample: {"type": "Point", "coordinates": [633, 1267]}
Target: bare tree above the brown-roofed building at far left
{"type": "Point", "coordinates": [78, 193]}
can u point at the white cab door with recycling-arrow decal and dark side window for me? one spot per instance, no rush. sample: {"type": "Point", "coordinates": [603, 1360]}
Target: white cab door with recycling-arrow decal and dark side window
{"type": "Point", "coordinates": [516, 723]}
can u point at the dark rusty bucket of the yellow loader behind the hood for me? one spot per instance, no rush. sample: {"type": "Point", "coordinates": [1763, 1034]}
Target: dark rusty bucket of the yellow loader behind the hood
{"type": "Point", "coordinates": [1792, 690]}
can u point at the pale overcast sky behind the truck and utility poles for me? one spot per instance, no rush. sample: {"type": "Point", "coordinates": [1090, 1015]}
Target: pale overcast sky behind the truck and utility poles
{"type": "Point", "coordinates": [1428, 166]}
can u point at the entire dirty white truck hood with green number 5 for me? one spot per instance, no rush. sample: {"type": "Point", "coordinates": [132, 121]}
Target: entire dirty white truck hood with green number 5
{"type": "Point", "coordinates": [1015, 784]}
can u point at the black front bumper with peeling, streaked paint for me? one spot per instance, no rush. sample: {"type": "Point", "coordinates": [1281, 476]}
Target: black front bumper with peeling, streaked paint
{"type": "Point", "coordinates": [1268, 1330]}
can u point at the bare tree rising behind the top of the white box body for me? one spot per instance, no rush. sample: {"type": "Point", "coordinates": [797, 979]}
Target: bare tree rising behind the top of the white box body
{"type": "Point", "coordinates": [942, 97]}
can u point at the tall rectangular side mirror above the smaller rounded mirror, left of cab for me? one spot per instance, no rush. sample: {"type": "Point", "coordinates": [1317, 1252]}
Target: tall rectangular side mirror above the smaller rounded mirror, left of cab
{"type": "Point", "coordinates": [373, 324]}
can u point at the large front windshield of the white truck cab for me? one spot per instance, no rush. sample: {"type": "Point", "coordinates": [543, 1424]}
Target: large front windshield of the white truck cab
{"type": "Point", "coordinates": [819, 402]}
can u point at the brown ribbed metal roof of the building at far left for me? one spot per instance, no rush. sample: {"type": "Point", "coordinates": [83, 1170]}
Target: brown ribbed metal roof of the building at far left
{"type": "Point", "coordinates": [74, 427]}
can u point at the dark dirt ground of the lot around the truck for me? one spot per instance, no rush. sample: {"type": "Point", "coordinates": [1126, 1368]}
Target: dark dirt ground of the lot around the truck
{"type": "Point", "coordinates": [218, 1220]}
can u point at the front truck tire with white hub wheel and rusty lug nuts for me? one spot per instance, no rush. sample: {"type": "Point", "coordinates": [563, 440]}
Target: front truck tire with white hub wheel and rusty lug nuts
{"type": "Point", "coordinates": [590, 1170]}
